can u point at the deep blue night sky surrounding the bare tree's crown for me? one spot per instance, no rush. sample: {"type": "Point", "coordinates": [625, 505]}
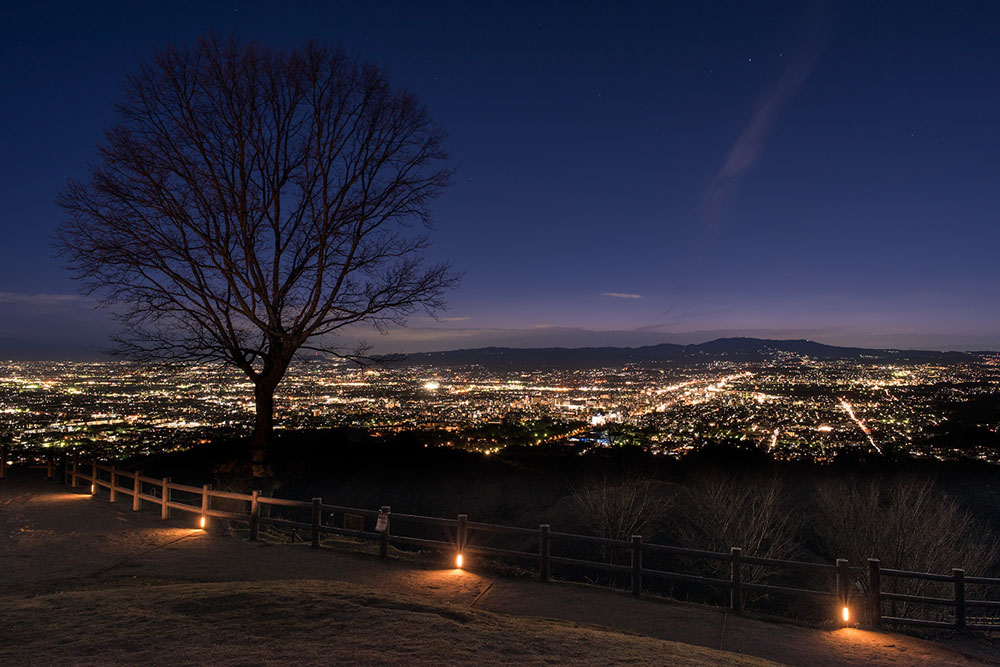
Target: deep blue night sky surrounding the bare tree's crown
{"type": "Point", "coordinates": [627, 173]}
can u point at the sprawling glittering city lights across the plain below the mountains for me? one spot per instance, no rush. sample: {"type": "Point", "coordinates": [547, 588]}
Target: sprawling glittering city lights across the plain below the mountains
{"type": "Point", "coordinates": [790, 409]}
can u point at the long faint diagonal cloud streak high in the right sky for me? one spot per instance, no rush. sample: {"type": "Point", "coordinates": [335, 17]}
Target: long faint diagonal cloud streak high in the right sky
{"type": "Point", "coordinates": [749, 146]}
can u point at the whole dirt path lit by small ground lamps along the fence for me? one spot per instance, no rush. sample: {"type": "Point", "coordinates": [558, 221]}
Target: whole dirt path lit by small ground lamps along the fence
{"type": "Point", "coordinates": [54, 539]}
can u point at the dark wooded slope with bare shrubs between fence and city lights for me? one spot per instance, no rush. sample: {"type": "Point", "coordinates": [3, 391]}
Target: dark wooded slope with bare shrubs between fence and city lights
{"type": "Point", "coordinates": [917, 515]}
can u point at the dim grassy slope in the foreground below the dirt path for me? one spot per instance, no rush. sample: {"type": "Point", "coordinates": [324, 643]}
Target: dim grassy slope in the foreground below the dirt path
{"type": "Point", "coordinates": [304, 622]}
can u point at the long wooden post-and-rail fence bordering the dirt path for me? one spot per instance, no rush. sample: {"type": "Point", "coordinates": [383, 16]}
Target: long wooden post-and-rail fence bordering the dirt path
{"type": "Point", "coordinates": [463, 538]}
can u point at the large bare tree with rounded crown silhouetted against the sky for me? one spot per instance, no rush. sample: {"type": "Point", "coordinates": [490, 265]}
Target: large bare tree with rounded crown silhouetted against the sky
{"type": "Point", "coordinates": [250, 203]}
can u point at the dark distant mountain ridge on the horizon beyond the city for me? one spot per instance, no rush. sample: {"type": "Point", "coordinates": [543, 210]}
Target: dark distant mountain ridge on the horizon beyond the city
{"type": "Point", "coordinates": [720, 349]}
